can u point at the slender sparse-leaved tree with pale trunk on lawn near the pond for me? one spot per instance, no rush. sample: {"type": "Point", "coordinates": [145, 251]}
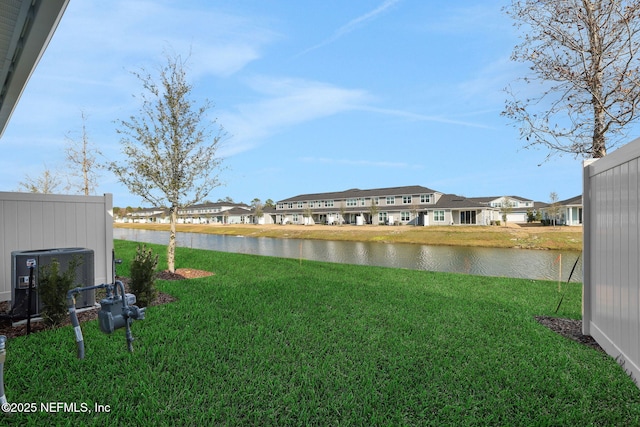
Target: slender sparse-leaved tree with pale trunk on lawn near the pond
{"type": "Point", "coordinates": [170, 150]}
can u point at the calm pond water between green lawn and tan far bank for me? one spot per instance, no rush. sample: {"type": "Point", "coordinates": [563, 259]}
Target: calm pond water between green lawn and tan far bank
{"type": "Point", "coordinates": [519, 263]}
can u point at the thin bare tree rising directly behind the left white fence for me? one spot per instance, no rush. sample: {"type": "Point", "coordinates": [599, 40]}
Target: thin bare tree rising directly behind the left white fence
{"type": "Point", "coordinates": [81, 159]}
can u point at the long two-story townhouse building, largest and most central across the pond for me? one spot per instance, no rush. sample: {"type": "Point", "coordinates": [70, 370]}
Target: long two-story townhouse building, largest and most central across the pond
{"type": "Point", "coordinates": [414, 205]}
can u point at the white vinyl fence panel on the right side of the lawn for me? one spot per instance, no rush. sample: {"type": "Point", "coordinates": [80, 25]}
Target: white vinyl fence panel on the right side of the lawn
{"type": "Point", "coordinates": [611, 250]}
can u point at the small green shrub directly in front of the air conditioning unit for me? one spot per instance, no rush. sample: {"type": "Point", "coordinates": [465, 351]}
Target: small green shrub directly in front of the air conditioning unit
{"type": "Point", "coordinates": [53, 286]}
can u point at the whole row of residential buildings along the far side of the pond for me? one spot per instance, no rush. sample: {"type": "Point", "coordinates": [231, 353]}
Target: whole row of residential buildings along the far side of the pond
{"type": "Point", "coordinates": [408, 205]}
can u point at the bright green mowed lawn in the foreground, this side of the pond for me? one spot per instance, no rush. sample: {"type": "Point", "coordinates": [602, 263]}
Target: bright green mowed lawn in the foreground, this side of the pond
{"type": "Point", "coordinates": [269, 341]}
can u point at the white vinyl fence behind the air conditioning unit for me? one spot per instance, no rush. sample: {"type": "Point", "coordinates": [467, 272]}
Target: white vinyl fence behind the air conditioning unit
{"type": "Point", "coordinates": [45, 221]}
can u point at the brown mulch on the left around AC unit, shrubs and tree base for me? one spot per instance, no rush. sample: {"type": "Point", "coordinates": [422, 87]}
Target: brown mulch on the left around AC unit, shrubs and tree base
{"type": "Point", "coordinates": [15, 331]}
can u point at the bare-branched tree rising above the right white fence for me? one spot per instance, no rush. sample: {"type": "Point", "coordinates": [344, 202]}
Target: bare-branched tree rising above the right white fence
{"type": "Point", "coordinates": [584, 56]}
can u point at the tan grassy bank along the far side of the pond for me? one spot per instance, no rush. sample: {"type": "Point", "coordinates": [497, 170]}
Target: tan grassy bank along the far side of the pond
{"type": "Point", "coordinates": [511, 236]}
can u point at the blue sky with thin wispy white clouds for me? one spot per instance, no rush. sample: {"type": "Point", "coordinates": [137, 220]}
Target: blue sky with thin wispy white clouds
{"type": "Point", "coordinates": [315, 96]}
